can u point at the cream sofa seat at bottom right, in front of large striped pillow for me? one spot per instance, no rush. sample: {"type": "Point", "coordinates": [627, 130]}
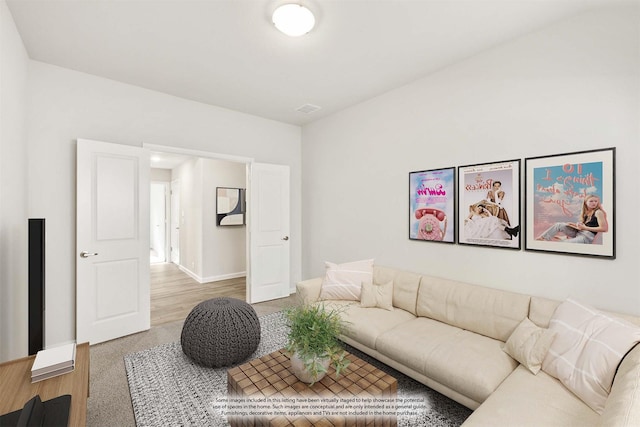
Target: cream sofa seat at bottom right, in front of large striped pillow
{"type": "Point", "coordinates": [527, 400]}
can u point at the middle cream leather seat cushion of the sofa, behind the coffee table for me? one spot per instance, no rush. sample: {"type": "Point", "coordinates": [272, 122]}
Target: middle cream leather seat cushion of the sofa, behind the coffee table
{"type": "Point", "coordinates": [472, 364]}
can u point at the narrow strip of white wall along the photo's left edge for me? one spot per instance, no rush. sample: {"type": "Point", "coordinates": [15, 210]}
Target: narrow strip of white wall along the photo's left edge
{"type": "Point", "coordinates": [13, 191]}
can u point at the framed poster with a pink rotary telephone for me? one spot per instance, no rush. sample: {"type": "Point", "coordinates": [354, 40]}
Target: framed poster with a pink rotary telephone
{"type": "Point", "coordinates": [432, 205]}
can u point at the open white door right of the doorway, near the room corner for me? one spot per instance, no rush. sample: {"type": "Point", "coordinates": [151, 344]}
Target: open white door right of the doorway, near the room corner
{"type": "Point", "coordinates": [268, 206]}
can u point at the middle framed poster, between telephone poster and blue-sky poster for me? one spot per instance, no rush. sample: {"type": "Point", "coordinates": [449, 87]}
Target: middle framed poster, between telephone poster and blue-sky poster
{"type": "Point", "coordinates": [489, 203]}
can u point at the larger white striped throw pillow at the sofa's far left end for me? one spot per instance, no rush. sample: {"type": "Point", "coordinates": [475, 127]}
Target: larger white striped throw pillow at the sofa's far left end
{"type": "Point", "coordinates": [343, 281]}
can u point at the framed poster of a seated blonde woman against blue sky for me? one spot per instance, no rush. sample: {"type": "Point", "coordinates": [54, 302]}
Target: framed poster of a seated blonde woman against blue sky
{"type": "Point", "coordinates": [570, 203]}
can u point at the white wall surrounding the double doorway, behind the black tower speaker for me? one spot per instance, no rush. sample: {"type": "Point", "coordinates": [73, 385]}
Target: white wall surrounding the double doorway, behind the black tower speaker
{"type": "Point", "coordinates": [65, 105]}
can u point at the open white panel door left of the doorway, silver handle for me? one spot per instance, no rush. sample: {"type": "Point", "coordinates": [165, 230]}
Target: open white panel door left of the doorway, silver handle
{"type": "Point", "coordinates": [112, 241]}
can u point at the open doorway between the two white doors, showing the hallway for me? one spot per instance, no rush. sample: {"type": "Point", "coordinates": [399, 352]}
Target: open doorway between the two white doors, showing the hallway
{"type": "Point", "coordinates": [203, 258]}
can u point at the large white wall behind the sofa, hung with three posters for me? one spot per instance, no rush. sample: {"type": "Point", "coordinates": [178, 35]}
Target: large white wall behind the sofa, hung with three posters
{"type": "Point", "coordinates": [573, 86]}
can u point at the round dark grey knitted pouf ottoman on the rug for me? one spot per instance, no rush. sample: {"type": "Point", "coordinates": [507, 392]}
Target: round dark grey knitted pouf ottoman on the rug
{"type": "Point", "coordinates": [220, 332]}
